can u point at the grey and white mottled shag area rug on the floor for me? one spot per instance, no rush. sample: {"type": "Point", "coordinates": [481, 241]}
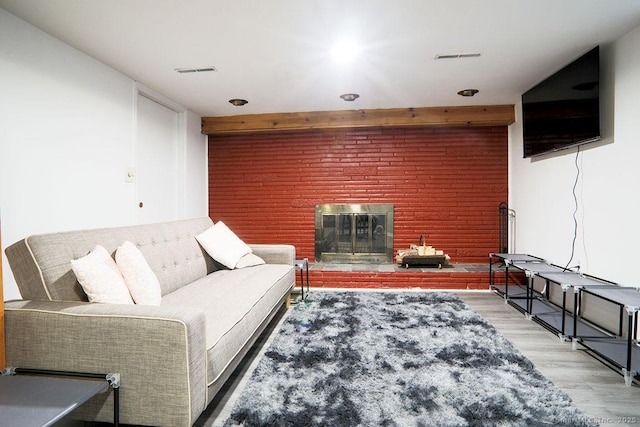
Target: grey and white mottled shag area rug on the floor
{"type": "Point", "coordinates": [396, 359]}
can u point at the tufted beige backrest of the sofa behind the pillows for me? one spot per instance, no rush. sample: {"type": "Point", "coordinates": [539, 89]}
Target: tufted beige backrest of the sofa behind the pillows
{"type": "Point", "coordinates": [42, 269]}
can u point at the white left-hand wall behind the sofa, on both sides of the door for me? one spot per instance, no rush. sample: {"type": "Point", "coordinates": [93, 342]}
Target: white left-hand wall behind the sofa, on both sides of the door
{"type": "Point", "coordinates": [67, 134]}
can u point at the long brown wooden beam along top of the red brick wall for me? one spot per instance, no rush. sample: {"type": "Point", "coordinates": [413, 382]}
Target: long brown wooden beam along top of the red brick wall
{"type": "Point", "coordinates": [481, 115]}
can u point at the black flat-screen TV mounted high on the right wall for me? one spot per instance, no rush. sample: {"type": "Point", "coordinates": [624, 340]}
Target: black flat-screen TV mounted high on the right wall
{"type": "Point", "coordinates": [563, 110]}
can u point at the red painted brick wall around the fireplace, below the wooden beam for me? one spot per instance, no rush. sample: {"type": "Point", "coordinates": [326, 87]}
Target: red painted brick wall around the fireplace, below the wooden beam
{"type": "Point", "coordinates": [445, 183]}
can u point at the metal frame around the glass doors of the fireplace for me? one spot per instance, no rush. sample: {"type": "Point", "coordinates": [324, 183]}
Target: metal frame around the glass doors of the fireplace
{"type": "Point", "coordinates": [322, 255]}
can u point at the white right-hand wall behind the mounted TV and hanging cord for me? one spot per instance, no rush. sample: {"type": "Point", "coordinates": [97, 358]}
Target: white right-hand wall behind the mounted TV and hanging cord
{"type": "Point", "coordinates": [607, 191]}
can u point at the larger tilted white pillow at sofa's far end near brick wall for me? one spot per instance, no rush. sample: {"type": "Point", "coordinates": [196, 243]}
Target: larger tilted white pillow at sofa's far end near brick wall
{"type": "Point", "coordinates": [223, 245]}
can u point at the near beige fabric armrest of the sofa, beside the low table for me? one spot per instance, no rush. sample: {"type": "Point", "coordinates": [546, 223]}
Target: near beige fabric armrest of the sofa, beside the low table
{"type": "Point", "coordinates": [159, 352]}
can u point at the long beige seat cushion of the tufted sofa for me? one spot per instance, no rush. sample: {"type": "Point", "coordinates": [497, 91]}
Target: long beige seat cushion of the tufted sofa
{"type": "Point", "coordinates": [235, 304]}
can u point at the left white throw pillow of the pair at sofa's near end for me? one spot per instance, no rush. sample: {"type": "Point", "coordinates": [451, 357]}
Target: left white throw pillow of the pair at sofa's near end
{"type": "Point", "coordinates": [100, 278]}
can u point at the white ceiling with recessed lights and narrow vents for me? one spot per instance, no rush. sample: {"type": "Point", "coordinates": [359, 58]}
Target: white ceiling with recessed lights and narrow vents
{"type": "Point", "coordinates": [276, 54]}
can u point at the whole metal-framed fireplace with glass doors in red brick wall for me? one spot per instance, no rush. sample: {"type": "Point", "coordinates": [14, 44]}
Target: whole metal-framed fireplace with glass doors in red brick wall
{"type": "Point", "coordinates": [354, 233]}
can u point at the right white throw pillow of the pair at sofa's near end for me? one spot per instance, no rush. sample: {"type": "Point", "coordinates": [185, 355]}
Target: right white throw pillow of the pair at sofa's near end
{"type": "Point", "coordinates": [140, 279]}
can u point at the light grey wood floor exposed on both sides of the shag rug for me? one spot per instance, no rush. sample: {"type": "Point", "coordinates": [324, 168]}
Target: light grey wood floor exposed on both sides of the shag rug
{"type": "Point", "coordinates": [595, 388]}
